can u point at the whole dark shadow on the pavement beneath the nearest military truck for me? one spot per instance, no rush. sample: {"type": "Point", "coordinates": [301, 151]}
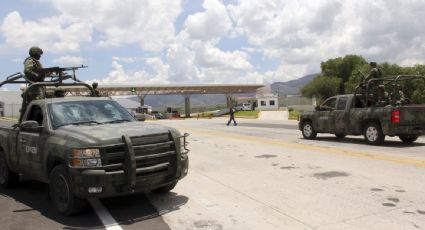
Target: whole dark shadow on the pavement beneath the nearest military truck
{"type": "Point", "coordinates": [127, 210]}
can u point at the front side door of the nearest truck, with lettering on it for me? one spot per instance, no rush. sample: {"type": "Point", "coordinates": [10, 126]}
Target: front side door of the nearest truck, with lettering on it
{"type": "Point", "coordinates": [29, 148]}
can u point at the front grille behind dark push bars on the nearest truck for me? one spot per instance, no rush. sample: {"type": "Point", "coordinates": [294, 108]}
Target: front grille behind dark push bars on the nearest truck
{"type": "Point", "coordinates": [153, 155]}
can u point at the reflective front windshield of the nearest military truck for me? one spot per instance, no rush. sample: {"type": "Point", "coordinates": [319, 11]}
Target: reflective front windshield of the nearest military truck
{"type": "Point", "coordinates": [87, 113]}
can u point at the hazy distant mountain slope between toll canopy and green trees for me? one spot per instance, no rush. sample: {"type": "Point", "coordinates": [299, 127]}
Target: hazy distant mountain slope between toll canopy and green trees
{"type": "Point", "coordinates": [292, 87]}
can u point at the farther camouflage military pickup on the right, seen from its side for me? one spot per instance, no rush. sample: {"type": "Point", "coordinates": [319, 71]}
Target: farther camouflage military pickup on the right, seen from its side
{"type": "Point", "coordinates": [359, 114]}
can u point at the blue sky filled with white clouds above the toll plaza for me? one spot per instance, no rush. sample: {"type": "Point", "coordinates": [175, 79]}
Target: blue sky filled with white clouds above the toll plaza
{"type": "Point", "coordinates": [207, 41]}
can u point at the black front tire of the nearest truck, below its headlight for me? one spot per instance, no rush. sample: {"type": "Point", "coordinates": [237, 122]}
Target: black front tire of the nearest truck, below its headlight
{"type": "Point", "coordinates": [62, 193]}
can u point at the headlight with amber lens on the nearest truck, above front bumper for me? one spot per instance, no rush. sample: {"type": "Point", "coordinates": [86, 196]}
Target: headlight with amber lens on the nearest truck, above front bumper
{"type": "Point", "coordinates": [85, 157]}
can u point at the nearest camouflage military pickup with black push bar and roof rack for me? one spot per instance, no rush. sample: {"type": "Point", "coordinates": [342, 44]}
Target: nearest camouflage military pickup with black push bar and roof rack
{"type": "Point", "coordinates": [88, 147]}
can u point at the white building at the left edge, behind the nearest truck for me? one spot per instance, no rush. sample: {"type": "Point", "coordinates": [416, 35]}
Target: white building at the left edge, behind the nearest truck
{"type": "Point", "coordinates": [12, 102]}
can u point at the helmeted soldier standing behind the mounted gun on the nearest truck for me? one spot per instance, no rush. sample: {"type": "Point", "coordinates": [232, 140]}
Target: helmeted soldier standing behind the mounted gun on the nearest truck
{"type": "Point", "coordinates": [32, 71]}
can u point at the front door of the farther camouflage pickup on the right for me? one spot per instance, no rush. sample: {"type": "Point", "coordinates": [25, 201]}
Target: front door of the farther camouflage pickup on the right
{"type": "Point", "coordinates": [324, 119]}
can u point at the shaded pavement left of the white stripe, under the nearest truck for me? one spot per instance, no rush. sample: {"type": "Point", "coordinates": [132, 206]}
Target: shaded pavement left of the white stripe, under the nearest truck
{"type": "Point", "coordinates": [35, 196]}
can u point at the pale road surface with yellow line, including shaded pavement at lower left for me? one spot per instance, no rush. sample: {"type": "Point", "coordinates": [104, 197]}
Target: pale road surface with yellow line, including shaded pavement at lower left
{"type": "Point", "coordinates": [258, 175]}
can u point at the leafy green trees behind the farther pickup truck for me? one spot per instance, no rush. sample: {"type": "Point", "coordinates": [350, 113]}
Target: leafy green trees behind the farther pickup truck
{"type": "Point", "coordinates": [341, 76]}
